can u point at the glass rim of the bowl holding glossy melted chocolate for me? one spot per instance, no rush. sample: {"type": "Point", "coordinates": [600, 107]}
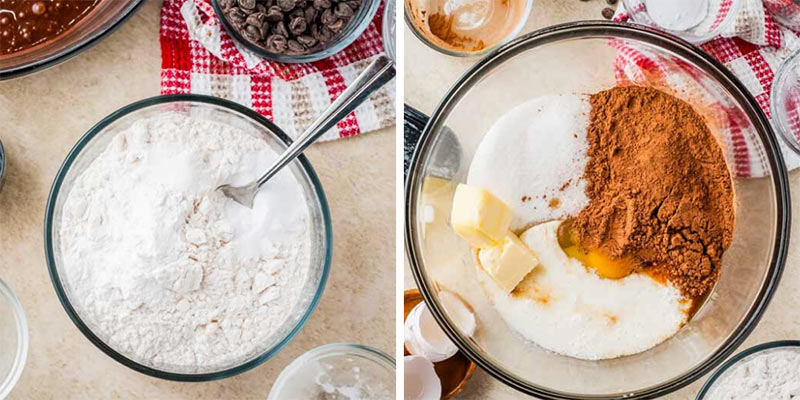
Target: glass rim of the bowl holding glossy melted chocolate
{"type": "Point", "coordinates": [101, 20]}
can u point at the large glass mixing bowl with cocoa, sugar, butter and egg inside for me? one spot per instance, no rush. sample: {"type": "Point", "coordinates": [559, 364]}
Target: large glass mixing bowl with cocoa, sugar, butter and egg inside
{"type": "Point", "coordinates": [618, 227]}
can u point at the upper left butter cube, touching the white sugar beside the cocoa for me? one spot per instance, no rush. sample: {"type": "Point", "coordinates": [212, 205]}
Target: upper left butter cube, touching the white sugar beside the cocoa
{"type": "Point", "coordinates": [479, 217]}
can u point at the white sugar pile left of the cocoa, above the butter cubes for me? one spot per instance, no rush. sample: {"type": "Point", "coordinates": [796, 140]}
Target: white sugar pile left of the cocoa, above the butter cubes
{"type": "Point", "coordinates": [536, 153]}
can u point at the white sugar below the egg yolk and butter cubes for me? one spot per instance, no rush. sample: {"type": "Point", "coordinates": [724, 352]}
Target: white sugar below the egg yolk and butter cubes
{"type": "Point", "coordinates": [567, 308]}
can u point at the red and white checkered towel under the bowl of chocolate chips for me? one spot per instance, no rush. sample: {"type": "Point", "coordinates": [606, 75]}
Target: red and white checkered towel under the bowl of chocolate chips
{"type": "Point", "coordinates": [199, 57]}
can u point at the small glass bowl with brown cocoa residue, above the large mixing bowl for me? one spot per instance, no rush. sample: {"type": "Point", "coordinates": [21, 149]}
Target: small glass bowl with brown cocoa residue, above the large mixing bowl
{"type": "Point", "coordinates": [466, 28]}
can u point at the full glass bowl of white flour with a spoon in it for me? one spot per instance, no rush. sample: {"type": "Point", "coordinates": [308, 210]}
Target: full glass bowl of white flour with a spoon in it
{"type": "Point", "coordinates": [160, 270]}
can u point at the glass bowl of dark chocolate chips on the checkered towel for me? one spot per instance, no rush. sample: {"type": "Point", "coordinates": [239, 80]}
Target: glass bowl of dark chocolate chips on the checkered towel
{"type": "Point", "coordinates": [295, 31]}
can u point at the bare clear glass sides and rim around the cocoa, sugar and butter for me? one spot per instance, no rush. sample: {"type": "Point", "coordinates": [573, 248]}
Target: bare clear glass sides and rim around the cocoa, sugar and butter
{"type": "Point", "coordinates": [585, 57]}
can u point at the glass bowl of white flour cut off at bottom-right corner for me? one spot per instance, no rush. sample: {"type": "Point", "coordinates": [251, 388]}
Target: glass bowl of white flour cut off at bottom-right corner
{"type": "Point", "coordinates": [766, 371]}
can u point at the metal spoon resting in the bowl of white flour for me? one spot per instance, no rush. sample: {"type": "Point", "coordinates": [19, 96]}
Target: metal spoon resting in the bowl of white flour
{"type": "Point", "coordinates": [380, 71]}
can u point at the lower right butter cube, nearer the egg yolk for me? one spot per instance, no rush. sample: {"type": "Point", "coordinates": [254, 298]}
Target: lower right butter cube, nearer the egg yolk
{"type": "Point", "coordinates": [508, 262]}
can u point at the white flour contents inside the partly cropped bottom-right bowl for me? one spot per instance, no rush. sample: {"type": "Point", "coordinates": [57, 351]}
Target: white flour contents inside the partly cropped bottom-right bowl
{"type": "Point", "coordinates": [774, 375]}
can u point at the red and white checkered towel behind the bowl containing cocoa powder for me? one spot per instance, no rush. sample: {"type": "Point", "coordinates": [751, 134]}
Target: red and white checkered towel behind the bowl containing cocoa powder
{"type": "Point", "coordinates": [753, 48]}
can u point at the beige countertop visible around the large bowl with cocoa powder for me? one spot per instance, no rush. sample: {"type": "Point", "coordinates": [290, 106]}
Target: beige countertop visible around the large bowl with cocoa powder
{"type": "Point", "coordinates": [430, 76]}
